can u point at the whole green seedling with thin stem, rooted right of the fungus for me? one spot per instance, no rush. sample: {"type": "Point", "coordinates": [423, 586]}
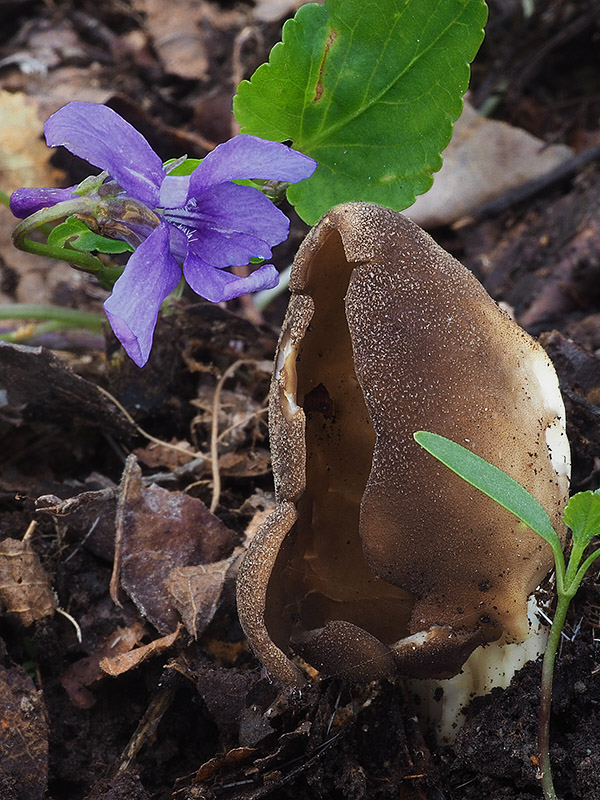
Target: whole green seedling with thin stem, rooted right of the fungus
{"type": "Point", "coordinates": [581, 515]}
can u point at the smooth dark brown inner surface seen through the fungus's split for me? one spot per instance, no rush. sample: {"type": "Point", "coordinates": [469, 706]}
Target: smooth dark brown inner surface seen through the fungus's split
{"type": "Point", "coordinates": [321, 574]}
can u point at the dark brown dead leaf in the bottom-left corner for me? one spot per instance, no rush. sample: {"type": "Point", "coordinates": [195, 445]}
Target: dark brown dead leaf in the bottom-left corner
{"type": "Point", "coordinates": [23, 735]}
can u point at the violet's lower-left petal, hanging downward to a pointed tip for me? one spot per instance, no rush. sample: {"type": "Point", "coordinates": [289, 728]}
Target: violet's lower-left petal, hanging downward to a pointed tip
{"type": "Point", "coordinates": [132, 309]}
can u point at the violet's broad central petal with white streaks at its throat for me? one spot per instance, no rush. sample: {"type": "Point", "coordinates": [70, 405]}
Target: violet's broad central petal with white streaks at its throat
{"type": "Point", "coordinates": [230, 224]}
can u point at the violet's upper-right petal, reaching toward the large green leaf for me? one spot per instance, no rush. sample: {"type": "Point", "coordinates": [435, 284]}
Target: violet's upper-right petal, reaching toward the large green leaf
{"type": "Point", "coordinates": [248, 156]}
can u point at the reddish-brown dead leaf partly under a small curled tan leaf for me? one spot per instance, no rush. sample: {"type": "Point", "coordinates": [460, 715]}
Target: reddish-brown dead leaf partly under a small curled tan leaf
{"type": "Point", "coordinates": [85, 672]}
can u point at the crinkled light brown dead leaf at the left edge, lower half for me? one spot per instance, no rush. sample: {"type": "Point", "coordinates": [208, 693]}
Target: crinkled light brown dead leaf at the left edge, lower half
{"type": "Point", "coordinates": [24, 586]}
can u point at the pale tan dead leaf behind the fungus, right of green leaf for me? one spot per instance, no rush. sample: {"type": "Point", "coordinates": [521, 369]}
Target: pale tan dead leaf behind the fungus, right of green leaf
{"type": "Point", "coordinates": [484, 159]}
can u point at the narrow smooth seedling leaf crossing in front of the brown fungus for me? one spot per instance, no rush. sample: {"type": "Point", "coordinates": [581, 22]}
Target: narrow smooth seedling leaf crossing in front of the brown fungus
{"type": "Point", "coordinates": [493, 482]}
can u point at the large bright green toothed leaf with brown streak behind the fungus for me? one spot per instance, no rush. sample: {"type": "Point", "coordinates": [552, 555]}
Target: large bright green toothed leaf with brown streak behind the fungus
{"type": "Point", "coordinates": [368, 90]}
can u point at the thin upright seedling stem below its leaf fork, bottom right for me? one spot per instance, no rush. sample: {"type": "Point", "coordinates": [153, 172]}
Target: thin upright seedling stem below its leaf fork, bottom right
{"type": "Point", "coordinates": [546, 699]}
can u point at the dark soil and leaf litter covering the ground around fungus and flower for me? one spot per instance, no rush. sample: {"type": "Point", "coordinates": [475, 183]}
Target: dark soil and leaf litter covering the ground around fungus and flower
{"type": "Point", "coordinates": [128, 711]}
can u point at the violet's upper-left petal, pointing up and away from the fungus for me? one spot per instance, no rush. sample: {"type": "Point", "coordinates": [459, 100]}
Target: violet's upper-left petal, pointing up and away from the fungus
{"type": "Point", "coordinates": [101, 136]}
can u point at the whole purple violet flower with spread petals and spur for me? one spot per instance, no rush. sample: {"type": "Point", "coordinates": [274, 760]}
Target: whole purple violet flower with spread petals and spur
{"type": "Point", "coordinates": [202, 221]}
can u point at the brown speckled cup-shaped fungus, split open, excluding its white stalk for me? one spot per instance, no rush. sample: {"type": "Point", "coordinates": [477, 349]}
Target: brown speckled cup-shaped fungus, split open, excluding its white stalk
{"type": "Point", "coordinates": [378, 559]}
